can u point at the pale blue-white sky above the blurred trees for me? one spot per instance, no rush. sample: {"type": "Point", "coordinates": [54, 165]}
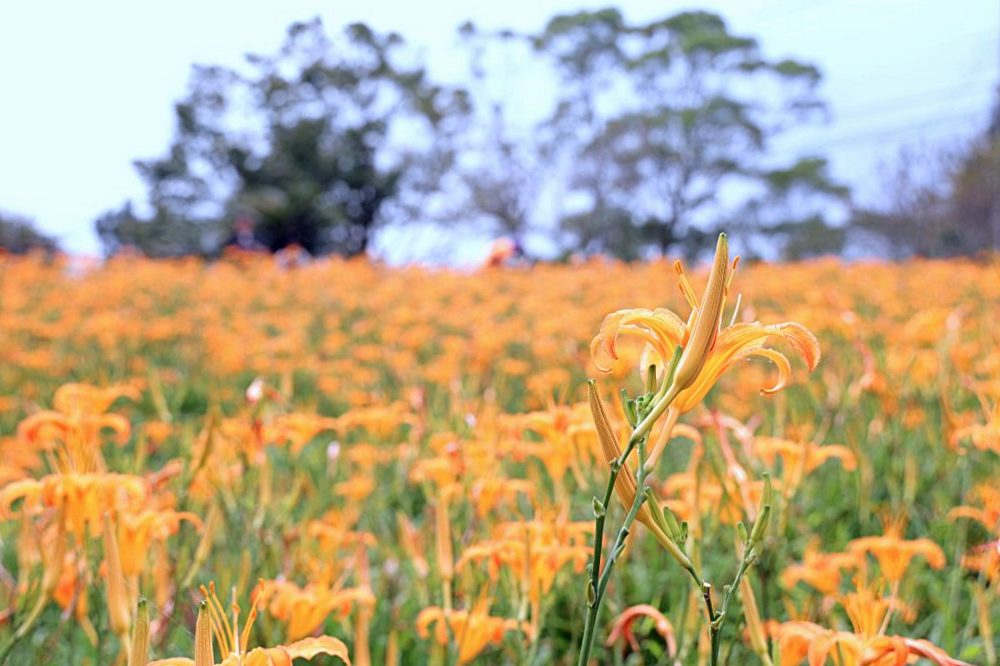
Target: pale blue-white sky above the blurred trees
{"type": "Point", "coordinates": [86, 88]}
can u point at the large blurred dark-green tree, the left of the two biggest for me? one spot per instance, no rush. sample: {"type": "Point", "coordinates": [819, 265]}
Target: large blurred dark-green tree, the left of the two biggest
{"type": "Point", "coordinates": [319, 143]}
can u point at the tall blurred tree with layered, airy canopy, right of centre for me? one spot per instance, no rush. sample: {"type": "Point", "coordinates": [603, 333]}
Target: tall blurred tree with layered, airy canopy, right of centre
{"type": "Point", "coordinates": [664, 128]}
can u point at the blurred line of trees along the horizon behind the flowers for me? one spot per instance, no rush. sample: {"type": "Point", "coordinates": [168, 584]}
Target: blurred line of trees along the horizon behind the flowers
{"type": "Point", "coordinates": [631, 140]}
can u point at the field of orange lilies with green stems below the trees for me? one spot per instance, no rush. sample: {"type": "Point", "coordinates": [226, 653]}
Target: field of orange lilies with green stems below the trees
{"type": "Point", "coordinates": [405, 466]}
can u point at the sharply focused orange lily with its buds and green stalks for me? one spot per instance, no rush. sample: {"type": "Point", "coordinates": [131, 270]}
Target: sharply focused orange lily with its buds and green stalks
{"type": "Point", "coordinates": [701, 351]}
